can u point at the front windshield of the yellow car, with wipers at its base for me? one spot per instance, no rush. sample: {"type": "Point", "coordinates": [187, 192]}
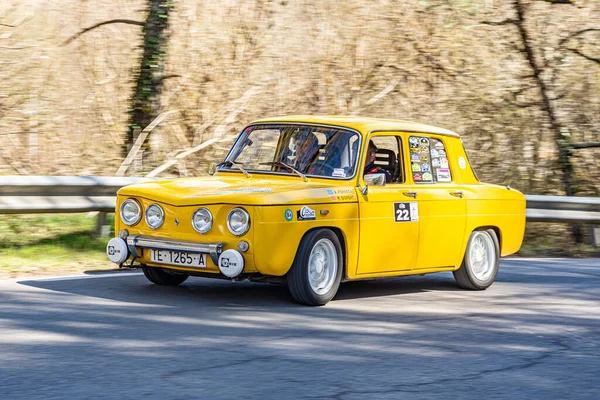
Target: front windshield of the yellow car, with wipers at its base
{"type": "Point", "coordinates": [283, 148]}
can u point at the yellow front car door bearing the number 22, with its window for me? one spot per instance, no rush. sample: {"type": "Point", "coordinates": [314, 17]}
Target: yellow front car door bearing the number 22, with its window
{"type": "Point", "coordinates": [389, 223]}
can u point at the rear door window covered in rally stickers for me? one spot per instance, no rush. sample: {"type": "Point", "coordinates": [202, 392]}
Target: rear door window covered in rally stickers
{"type": "Point", "coordinates": [428, 160]}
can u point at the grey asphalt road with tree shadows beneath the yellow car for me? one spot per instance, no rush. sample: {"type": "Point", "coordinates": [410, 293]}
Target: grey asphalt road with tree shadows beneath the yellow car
{"type": "Point", "coordinates": [535, 334]}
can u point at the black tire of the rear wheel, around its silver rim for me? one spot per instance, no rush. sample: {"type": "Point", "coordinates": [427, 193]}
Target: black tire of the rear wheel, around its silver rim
{"type": "Point", "coordinates": [466, 277]}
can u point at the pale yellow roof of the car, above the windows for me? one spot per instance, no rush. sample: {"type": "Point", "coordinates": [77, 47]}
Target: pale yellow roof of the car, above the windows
{"type": "Point", "coordinates": [361, 124]}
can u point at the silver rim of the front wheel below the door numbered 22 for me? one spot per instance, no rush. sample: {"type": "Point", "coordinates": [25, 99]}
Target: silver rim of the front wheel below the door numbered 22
{"type": "Point", "coordinates": [322, 266]}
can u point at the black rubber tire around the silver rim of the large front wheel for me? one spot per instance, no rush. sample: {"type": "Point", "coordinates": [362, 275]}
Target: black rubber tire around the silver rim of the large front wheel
{"type": "Point", "coordinates": [298, 275]}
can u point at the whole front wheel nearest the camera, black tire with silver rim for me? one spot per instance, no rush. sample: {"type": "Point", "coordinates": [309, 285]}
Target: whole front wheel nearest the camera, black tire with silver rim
{"type": "Point", "coordinates": [317, 270]}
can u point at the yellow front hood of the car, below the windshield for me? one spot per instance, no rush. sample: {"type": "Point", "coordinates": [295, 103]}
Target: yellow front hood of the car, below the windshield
{"type": "Point", "coordinates": [241, 191]}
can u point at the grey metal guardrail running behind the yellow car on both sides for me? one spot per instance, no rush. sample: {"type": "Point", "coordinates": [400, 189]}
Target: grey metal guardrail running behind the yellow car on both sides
{"type": "Point", "coordinates": [70, 194]}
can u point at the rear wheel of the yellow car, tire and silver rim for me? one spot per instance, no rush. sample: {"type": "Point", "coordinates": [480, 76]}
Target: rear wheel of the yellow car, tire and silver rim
{"type": "Point", "coordinates": [482, 259]}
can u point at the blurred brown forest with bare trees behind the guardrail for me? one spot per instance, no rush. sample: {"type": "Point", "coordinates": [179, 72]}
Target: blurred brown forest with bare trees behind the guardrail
{"type": "Point", "coordinates": [518, 79]}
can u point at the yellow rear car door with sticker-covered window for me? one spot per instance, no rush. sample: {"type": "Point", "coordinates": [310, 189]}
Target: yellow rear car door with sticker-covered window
{"type": "Point", "coordinates": [441, 202]}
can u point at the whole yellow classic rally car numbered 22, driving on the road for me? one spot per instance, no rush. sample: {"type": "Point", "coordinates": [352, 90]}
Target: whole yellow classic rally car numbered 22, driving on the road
{"type": "Point", "coordinates": [314, 201]}
